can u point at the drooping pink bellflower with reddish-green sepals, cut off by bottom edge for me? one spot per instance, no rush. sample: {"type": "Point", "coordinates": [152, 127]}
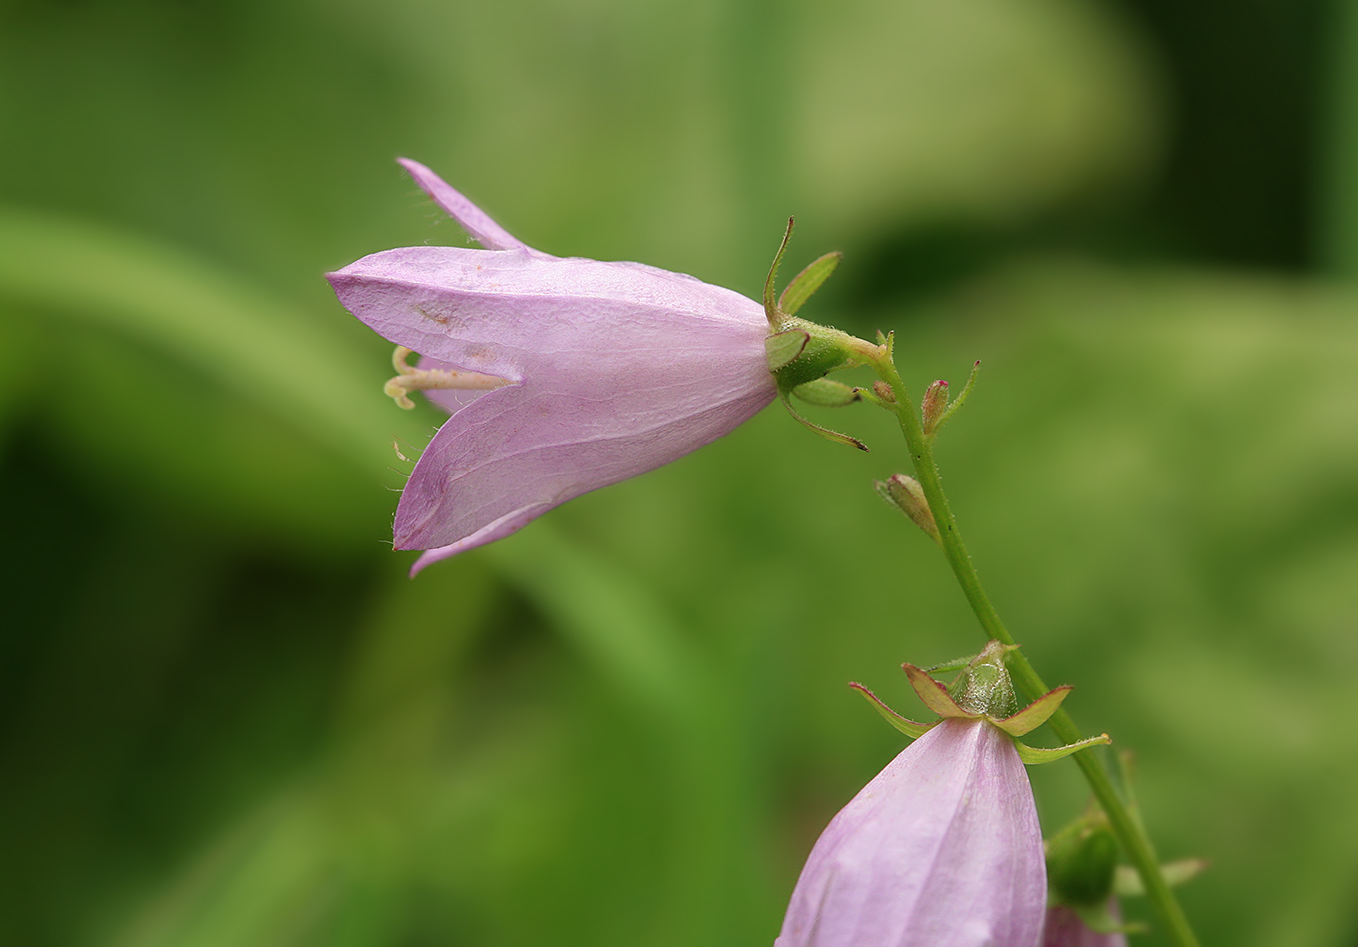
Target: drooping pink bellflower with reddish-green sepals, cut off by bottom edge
{"type": "Point", "coordinates": [942, 848]}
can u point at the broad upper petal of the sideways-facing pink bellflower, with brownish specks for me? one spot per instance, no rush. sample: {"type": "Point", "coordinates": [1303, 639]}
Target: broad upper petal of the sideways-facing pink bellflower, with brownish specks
{"type": "Point", "coordinates": [511, 313]}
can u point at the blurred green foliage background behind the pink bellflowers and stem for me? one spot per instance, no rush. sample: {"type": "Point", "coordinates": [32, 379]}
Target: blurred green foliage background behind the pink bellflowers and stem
{"type": "Point", "coordinates": [229, 717]}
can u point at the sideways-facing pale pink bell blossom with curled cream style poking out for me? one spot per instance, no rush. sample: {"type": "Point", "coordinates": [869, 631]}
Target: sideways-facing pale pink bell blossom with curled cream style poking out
{"type": "Point", "coordinates": [562, 374]}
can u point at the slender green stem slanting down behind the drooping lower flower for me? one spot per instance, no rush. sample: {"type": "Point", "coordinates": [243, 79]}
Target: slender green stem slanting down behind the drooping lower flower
{"type": "Point", "coordinates": [1125, 825]}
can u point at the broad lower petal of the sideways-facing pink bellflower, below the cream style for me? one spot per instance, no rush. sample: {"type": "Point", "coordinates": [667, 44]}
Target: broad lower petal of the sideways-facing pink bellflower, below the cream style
{"type": "Point", "coordinates": [522, 450]}
